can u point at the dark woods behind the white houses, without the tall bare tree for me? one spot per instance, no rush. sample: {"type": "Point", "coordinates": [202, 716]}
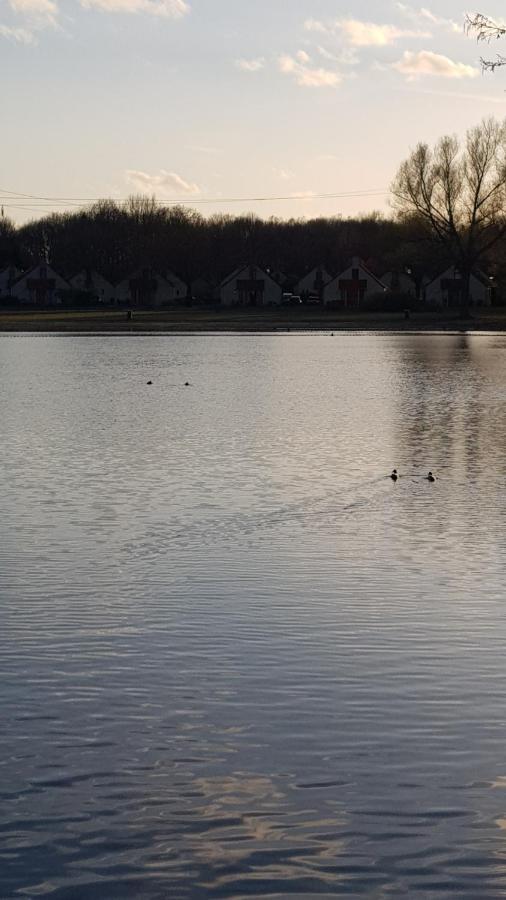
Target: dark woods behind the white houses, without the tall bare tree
{"type": "Point", "coordinates": [117, 239]}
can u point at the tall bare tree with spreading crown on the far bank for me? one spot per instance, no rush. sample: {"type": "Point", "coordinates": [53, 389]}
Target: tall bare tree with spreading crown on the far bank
{"type": "Point", "coordinates": [458, 192]}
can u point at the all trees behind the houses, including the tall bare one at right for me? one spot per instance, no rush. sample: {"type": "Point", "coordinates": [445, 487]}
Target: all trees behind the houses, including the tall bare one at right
{"type": "Point", "coordinates": [449, 208]}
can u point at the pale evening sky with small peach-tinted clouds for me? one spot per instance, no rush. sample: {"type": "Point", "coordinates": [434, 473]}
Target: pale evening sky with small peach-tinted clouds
{"type": "Point", "coordinates": [217, 103]}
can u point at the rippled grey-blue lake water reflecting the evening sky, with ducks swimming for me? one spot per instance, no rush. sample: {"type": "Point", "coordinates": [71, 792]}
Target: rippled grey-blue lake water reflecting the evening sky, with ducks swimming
{"type": "Point", "coordinates": [236, 659]}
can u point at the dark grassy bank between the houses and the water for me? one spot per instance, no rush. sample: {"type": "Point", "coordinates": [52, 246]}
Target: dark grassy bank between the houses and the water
{"type": "Point", "coordinates": [244, 320]}
